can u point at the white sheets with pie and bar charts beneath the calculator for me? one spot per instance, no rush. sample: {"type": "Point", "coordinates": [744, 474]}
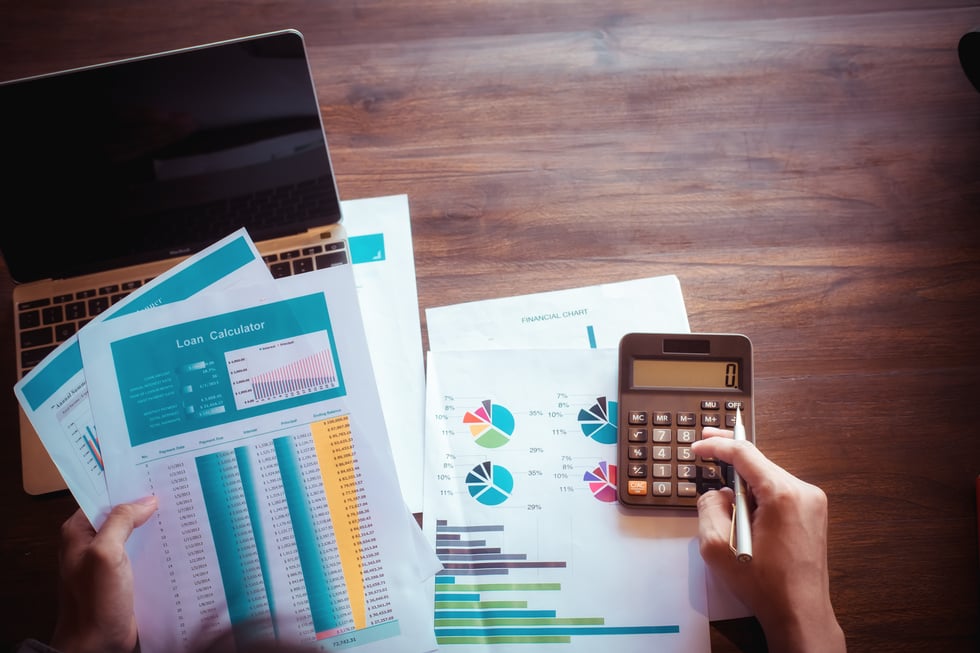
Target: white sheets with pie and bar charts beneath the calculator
{"type": "Point", "coordinates": [520, 494]}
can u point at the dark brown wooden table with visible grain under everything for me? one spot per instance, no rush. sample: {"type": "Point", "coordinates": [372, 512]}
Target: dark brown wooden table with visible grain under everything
{"type": "Point", "coordinates": [809, 171]}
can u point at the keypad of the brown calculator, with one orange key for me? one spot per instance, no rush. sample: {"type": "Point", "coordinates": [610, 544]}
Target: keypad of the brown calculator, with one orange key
{"type": "Point", "coordinates": [656, 458]}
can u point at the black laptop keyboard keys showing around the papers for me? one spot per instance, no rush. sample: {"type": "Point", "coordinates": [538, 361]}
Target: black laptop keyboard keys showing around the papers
{"type": "Point", "coordinates": [43, 324]}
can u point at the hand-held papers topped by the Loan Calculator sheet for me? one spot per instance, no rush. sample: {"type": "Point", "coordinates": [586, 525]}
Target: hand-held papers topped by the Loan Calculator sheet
{"type": "Point", "coordinates": [250, 408]}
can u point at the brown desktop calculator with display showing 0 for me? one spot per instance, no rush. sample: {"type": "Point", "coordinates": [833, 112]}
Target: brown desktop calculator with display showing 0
{"type": "Point", "coordinates": [670, 387]}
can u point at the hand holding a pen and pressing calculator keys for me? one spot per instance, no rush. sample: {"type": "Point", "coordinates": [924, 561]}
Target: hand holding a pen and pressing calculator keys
{"type": "Point", "coordinates": [786, 583]}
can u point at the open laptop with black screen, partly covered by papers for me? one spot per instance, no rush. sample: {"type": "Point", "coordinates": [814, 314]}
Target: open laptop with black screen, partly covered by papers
{"type": "Point", "coordinates": [124, 169]}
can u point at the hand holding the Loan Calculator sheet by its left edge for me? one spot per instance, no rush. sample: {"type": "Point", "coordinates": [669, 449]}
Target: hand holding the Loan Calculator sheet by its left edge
{"type": "Point", "coordinates": [95, 612]}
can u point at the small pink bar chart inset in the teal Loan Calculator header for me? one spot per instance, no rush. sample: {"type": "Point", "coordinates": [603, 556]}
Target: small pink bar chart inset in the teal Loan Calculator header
{"type": "Point", "coordinates": [259, 374]}
